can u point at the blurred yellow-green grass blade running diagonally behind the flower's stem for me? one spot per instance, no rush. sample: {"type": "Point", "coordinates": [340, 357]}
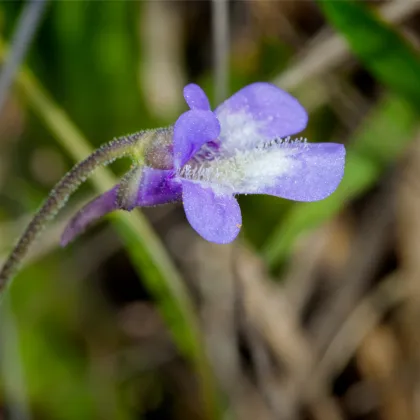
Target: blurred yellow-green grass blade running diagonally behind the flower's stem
{"type": "Point", "coordinates": [147, 253]}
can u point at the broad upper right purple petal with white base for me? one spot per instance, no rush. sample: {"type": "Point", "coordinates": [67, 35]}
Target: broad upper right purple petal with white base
{"type": "Point", "coordinates": [258, 113]}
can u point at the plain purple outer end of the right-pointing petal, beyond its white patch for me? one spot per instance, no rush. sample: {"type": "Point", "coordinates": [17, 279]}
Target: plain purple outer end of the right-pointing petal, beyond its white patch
{"type": "Point", "coordinates": [314, 172]}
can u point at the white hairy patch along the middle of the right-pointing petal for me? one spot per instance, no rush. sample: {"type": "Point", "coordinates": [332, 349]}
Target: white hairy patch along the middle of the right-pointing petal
{"type": "Point", "coordinates": [245, 171]}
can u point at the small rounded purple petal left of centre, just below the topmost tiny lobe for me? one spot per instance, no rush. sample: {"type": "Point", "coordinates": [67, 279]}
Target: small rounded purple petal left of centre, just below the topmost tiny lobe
{"type": "Point", "coordinates": [192, 130]}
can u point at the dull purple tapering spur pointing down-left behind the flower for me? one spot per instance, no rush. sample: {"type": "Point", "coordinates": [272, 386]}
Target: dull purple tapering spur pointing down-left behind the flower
{"type": "Point", "coordinates": [94, 210]}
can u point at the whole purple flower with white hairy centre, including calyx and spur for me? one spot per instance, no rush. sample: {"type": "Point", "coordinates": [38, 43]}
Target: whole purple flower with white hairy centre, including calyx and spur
{"type": "Point", "coordinates": [243, 147]}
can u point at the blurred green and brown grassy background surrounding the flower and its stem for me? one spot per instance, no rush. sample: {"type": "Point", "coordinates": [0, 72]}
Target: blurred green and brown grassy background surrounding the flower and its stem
{"type": "Point", "coordinates": [313, 313]}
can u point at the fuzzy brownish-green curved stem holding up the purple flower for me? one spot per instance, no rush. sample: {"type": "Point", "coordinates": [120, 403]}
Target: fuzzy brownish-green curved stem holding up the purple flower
{"type": "Point", "coordinates": [121, 147]}
